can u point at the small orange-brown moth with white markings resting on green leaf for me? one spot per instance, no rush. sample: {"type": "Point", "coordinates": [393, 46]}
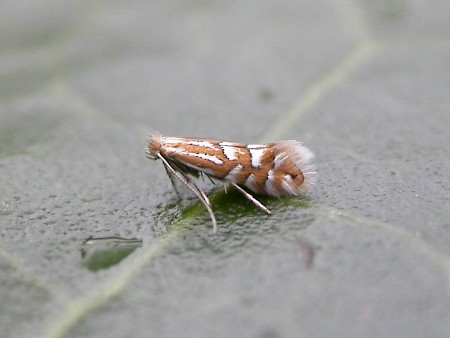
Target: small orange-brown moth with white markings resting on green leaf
{"type": "Point", "coordinates": [275, 169]}
